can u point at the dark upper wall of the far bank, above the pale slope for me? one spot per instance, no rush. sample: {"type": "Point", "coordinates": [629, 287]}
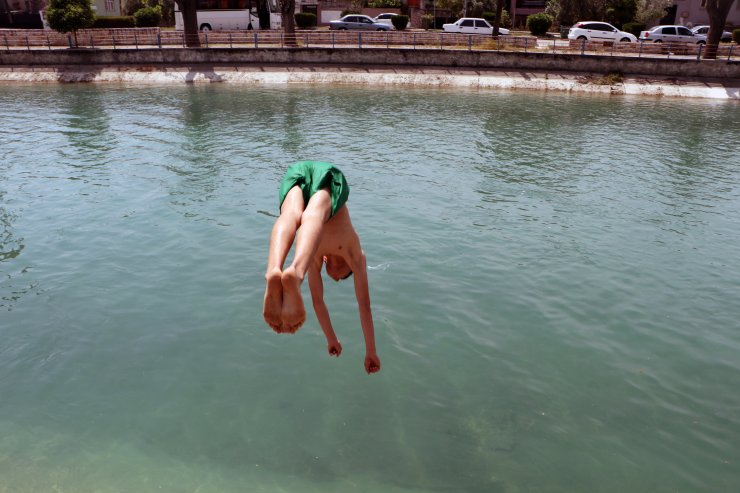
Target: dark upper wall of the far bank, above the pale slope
{"type": "Point", "coordinates": [538, 62]}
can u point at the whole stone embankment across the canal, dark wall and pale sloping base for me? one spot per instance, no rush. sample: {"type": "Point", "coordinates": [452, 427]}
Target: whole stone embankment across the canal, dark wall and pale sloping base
{"type": "Point", "coordinates": [681, 77]}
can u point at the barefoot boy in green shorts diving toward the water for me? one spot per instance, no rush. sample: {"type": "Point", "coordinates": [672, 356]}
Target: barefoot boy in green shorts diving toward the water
{"type": "Point", "coordinates": [312, 207]}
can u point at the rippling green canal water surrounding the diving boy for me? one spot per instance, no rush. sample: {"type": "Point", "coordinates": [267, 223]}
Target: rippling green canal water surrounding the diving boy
{"type": "Point", "coordinates": [555, 283]}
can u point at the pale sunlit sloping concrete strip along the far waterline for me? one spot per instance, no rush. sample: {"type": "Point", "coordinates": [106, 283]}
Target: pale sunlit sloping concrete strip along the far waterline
{"type": "Point", "coordinates": [429, 77]}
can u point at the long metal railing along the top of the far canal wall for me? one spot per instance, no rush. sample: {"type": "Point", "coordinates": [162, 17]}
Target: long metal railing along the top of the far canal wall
{"type": "Point", "coordinates": [149, 38]}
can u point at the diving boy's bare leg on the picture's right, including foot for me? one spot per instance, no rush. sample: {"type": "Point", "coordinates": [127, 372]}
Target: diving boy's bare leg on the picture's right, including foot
{"type": "Point", "coordinates": [312, 221]}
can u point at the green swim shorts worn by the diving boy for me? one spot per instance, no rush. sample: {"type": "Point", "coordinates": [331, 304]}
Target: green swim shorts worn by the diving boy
{"type": "Point", "coordinates": [312, 176]}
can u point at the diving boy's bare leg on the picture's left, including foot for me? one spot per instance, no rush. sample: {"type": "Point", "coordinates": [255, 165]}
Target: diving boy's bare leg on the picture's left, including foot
{"type": "Point", "coordinates": [281, 239]}
